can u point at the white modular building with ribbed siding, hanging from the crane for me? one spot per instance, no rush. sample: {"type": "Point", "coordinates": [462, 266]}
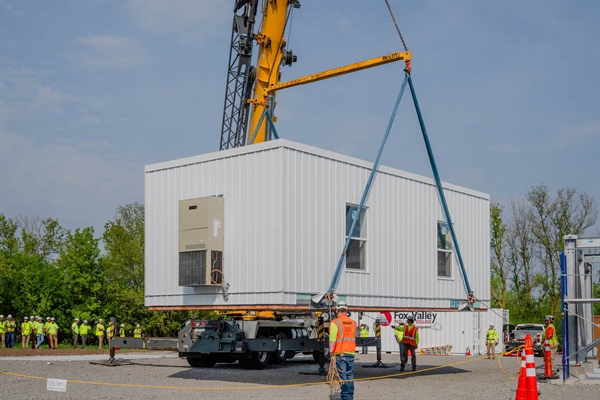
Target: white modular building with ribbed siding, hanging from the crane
{"type": "Point", "coordinates": [265, 225]}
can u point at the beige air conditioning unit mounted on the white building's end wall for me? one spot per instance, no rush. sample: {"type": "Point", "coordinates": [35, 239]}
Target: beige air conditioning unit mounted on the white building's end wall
{"type": "Point", "coordinates": [201, 234]}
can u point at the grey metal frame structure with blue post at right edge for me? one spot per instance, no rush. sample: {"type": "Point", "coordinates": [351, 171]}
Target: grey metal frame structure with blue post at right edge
{"type": "Point", "coordinates": [577, 267]}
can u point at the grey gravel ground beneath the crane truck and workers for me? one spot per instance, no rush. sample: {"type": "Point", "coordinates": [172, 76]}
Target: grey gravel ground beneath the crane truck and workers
{"type": "Point", "coordinates": [165, 376]}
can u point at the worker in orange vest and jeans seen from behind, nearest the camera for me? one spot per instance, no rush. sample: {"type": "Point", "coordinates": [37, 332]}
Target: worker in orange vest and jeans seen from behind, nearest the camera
{"type": "Point", "coordinates": [342, 346]}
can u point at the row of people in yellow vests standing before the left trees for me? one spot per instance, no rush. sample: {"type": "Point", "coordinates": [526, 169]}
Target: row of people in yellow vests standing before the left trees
{"type": "Point", "coordinates": [36, 332]}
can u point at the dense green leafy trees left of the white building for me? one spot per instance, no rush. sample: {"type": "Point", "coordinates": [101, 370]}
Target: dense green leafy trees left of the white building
{"type": "Point", "coordinates": [47, 270]}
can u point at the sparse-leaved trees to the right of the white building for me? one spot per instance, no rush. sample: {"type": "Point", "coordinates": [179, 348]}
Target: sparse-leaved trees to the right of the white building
{"type": "Point", "coordinates": [526, 240]}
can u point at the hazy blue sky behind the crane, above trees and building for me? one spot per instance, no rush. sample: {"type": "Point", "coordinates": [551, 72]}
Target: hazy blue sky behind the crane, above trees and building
{"type": "Point", "coordinates": [92, 91]}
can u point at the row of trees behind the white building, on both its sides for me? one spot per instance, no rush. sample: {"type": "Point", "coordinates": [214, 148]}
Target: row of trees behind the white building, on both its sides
{"type": "Point", "coordinates": [47, 270]}
